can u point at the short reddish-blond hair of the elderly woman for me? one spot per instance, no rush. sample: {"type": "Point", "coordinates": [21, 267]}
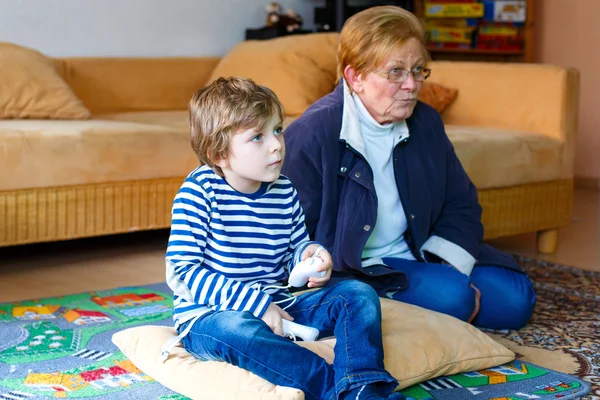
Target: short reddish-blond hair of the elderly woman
{"type": "Point", "coordinates": [368, 36]}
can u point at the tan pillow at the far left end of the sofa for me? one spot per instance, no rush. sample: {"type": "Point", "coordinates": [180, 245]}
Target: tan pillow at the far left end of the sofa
{"type": "Point", "coordinates": [32, 87]}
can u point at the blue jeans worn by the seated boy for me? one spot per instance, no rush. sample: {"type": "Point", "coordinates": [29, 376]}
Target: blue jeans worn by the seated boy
{"type": "Point", "coordinates": [350, 310]}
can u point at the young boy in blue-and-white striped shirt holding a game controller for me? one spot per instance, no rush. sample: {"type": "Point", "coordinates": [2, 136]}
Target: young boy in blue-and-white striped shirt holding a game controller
{"type": "Point", "coordinates": [237, 228]}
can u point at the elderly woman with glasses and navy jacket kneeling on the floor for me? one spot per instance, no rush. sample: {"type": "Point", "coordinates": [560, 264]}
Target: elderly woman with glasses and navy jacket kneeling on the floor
{"type": "Point", "coordinates": [383, 189]}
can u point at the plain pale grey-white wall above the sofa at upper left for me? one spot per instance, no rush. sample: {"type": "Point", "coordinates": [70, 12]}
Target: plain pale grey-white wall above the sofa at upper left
{"type": "Point", "coordinates": [64, 28]}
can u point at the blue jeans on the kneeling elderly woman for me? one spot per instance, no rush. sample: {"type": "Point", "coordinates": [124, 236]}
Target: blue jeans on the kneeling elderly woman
{"type": "Point", "coordinates": [507, 296]}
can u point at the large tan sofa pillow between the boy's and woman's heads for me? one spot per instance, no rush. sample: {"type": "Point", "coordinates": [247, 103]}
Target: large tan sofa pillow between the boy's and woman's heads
{"type": "Point", "coordinates": [300, 69]}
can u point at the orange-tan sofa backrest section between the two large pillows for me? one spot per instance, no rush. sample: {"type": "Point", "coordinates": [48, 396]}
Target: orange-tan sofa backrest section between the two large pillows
{"type": "Point", "coordinates": [135, 84]}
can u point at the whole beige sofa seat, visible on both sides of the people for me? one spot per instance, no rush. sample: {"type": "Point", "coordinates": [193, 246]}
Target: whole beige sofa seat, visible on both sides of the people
{"type": "Point", "coordinates": [155, 144]}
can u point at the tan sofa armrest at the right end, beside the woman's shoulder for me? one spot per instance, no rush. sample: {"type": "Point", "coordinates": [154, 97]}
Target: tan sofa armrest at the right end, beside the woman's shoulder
{"type": "Point", "coordinates": [530, 98]}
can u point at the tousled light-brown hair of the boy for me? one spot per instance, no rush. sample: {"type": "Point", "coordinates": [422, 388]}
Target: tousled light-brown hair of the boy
{"type": "Point", "coordinates": [222, 109]}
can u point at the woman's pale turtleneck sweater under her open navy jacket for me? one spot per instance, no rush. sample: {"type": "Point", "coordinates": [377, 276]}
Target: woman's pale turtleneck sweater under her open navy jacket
{"type": "Point", "coordinates": [387, 237]}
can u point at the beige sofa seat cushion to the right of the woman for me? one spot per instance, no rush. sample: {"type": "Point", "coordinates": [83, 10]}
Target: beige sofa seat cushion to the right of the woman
{"type": "Point", "coordinates": [499, 158]}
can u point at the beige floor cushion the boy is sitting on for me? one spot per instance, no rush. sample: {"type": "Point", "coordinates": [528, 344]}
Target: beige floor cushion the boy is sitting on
{"type": "Point", "coordinates": [419, 344]}
